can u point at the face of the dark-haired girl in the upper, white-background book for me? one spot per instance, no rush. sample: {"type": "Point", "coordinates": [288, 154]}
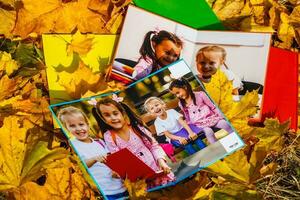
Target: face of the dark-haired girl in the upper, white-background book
{"type": "Point", "coordinates": [166, 52]}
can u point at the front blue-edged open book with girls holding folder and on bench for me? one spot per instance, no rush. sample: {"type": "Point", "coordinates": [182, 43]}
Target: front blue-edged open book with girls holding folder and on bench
{"type": "Point", "coordinates": [165, 120]}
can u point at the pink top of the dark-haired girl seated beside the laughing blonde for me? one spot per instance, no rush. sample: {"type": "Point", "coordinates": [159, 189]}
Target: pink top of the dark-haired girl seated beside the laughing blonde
{"type": "Point", "coordinates": [204, 113]}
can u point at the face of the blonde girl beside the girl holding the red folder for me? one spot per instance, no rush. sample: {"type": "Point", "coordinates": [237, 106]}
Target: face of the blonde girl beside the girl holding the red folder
{"type": "Point", "coordinates": [77, 126]}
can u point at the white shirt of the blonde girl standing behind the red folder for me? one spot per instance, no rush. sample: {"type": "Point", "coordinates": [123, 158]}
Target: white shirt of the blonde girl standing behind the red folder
{"type": "Point", "coordinates": [100, 172]}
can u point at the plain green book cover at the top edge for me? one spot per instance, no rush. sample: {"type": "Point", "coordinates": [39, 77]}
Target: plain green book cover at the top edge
{"type": "Point", "coordinates": [193, 13]}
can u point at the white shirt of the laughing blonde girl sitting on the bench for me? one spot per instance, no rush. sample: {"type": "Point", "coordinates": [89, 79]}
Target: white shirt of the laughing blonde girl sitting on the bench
{"type": "Point", "coordinates": [171, 123]}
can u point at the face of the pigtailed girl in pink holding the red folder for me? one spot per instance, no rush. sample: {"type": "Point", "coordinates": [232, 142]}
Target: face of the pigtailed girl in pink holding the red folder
{"type": "Point", "coordinates": [112, 116]}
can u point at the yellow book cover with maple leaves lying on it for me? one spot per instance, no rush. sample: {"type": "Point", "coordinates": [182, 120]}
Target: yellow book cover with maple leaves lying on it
{"type": "Point", "coordinates": [76, 64]}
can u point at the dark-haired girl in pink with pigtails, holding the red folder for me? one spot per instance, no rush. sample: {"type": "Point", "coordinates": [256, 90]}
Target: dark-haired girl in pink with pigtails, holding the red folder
{"type": "Point", "coordinates": [122, 128]}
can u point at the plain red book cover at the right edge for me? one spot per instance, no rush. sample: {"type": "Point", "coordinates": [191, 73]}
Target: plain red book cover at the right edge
{"type": "Point", "coordinates": [281, 87]}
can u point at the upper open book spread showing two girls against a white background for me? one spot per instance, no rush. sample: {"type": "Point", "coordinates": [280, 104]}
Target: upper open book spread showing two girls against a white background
{"type": "Point", "coordinates": [160, 42]}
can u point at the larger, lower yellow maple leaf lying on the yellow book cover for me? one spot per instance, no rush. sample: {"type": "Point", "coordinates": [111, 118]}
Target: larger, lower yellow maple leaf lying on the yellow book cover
{"type": "Point", "coordinates": [81, 81]}
